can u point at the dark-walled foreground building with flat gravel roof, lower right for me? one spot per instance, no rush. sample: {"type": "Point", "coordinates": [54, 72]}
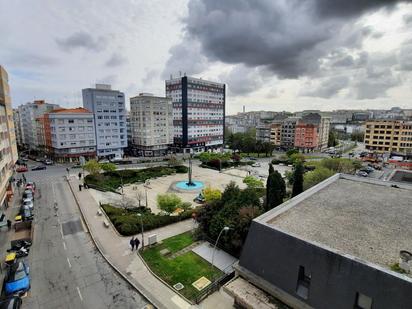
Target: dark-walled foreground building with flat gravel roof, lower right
{"type": "Point", "coordinates": [309, 252]}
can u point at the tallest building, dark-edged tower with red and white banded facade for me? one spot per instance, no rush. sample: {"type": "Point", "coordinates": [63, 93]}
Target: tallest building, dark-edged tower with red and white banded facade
{"type": "Point", "coordinates": [198, 113]}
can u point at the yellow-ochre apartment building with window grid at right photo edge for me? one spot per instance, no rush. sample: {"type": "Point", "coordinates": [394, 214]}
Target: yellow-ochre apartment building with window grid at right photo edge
{"type": "Point", "coordinates": [389, 136]}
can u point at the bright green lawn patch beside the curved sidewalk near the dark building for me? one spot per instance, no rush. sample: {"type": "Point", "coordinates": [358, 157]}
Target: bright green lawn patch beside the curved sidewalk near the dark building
{"type": "Point", "coordinates": [186, 268]}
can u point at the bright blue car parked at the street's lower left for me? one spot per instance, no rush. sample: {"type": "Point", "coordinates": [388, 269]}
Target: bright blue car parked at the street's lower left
{"type": "Point", "coordinates": [17, 280]}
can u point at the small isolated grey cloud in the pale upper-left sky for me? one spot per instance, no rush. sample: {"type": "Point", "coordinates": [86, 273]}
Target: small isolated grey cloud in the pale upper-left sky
{"type": "Point", "coordinates": [80, 40]}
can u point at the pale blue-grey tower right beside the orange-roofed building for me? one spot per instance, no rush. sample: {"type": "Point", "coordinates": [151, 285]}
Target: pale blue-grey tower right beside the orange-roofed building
{"type": "Point", "coordinates": [108, 108]}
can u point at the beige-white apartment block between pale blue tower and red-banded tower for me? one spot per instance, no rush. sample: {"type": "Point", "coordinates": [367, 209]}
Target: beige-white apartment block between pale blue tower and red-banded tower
{"type": "Point", "coordinates": [151, 124]}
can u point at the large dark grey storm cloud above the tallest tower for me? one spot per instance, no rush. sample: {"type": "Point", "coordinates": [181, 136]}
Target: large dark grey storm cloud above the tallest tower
{"type": "Point", "coordinates": [287, 36]}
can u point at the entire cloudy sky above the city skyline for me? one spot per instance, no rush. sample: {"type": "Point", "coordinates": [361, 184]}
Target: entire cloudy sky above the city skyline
{"type": "Point", "coordinates": [273, 55]}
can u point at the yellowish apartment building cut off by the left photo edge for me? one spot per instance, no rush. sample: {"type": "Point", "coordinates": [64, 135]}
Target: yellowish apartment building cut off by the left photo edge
{"type": "Point", "coordinates": [8, 147]}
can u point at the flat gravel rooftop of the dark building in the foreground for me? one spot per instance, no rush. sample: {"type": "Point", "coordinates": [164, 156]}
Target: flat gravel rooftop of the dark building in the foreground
{"type": "Point", "coordinates": [367, 219]}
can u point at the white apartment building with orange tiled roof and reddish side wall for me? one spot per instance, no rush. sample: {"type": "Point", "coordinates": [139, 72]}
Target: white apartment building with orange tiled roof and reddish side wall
{"type": "Point", "coordinates": [68, 133]}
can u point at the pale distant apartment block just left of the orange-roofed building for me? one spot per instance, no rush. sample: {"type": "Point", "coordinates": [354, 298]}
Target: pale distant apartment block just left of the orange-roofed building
{"type": "Point", "coordinates": [28, 113]}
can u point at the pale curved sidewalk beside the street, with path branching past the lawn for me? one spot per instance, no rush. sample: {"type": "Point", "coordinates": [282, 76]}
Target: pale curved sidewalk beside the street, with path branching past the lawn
{"type": "Point", "coordinates": [115, 249]}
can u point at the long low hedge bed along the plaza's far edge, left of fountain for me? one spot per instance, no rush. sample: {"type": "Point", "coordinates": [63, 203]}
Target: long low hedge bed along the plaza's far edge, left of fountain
{"type": "Point", "coordinates": [111, 181]}
